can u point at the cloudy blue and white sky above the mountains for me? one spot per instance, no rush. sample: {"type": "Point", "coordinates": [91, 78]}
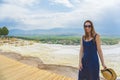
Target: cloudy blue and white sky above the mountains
{"type": "Point", "coordinates": [47, 14]}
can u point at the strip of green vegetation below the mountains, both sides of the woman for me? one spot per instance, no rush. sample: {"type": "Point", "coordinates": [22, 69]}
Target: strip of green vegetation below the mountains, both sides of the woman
{"type": "Point", "coordinates": [67, 40]}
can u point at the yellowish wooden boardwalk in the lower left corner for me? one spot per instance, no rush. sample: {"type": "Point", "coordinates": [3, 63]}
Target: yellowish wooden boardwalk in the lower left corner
{"type": "Point", "coordinates": [14, 70]}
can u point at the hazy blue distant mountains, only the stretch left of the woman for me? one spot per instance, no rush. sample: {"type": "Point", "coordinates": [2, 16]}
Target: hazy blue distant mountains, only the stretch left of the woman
{"type": "Point", "coordinates": [54, 31]}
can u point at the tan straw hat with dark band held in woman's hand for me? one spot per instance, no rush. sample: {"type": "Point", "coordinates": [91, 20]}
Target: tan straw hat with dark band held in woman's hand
{"type": "Point", "coordinates": [109, 74]}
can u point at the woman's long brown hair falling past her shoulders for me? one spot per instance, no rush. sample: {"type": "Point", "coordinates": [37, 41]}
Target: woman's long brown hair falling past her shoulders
{"type": "Point", "coordinates": [92, 29]}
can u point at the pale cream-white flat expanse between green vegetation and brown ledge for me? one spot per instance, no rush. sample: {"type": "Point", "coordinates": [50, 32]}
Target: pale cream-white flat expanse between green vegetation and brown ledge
{"type": "Point", "coordinates": [66, 54]}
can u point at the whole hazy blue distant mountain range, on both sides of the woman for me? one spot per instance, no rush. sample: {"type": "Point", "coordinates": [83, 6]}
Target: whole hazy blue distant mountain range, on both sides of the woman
{"type": "Point", "coordinates": [58, 31]}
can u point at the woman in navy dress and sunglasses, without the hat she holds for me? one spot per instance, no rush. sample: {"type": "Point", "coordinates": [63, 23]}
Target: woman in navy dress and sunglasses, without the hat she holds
{"type": "Point", "coordinates": [89, 51]}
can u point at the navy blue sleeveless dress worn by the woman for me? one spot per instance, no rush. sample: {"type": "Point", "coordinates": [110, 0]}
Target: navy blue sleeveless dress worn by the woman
{"type": "Point", "coordinates": [90, 61]}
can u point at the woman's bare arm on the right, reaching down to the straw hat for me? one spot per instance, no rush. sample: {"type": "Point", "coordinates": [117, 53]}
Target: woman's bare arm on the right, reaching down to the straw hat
{"type": "Point", "coordinates": [98, 43]}
